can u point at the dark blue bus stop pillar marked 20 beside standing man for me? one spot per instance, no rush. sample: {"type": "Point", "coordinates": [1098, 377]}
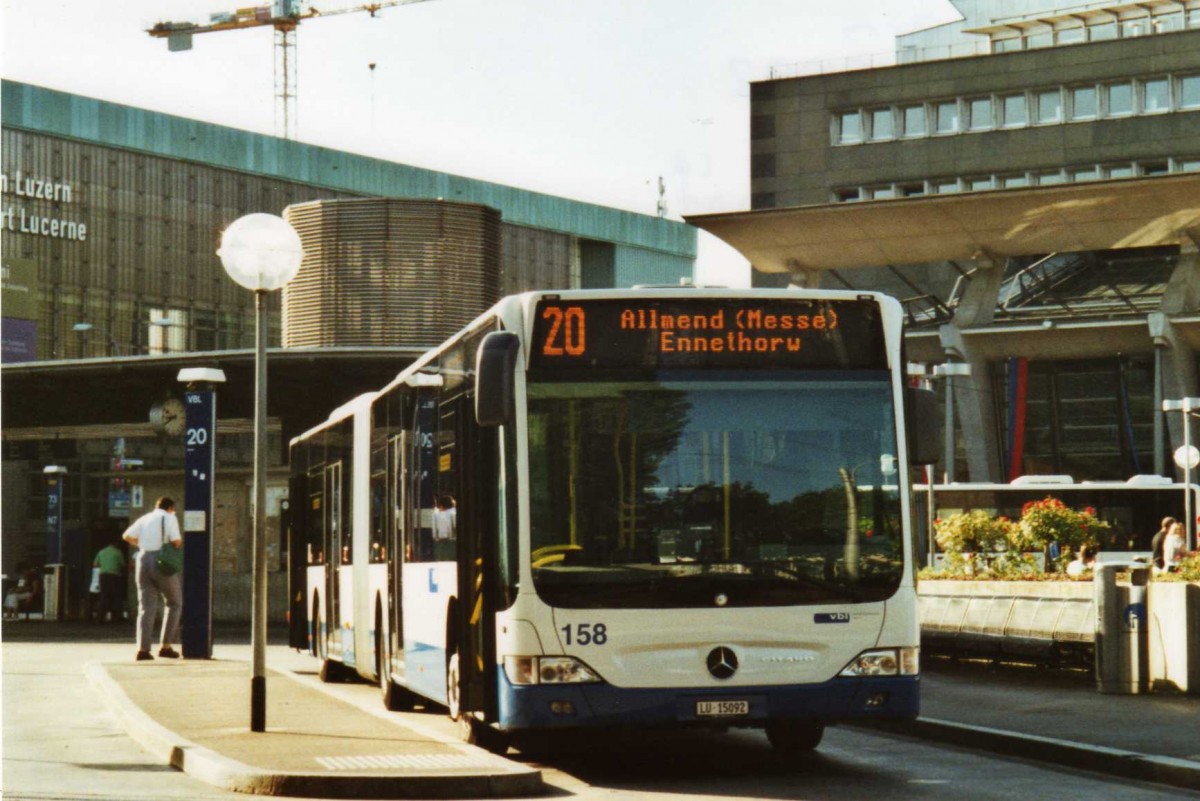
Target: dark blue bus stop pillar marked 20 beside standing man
{"type": "Point", "coordinates": [200, 442]}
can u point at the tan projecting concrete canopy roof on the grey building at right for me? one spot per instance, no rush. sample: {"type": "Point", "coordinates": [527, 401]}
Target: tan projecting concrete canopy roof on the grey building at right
{"type": "Point", "coordinates": [1072, 218]}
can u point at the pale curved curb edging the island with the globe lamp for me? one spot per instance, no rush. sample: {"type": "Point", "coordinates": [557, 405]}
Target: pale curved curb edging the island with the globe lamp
{"type": "Point", "coordinates": [224, 773]}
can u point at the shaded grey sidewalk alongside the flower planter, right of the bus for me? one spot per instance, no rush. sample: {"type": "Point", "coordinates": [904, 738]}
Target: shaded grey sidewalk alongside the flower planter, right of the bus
{"type": "Point", "coordinates": [1059, 716]}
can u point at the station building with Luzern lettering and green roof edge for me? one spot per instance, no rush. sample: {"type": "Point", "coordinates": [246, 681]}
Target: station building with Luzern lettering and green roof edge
{"type": "Point", "coordinates": [111, 220]}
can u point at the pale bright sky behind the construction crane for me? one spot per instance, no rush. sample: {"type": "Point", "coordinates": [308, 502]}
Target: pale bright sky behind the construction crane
{"type": "Point", "coordinates": [591, 100]}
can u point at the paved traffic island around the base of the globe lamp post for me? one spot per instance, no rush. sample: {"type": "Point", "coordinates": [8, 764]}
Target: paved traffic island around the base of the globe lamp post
{"type": "Point", "coordinates": [196, 716]}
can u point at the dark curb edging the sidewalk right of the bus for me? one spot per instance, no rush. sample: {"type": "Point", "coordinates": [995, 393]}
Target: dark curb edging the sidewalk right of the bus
{"type": "Point", "coordinates": [1101, 760]}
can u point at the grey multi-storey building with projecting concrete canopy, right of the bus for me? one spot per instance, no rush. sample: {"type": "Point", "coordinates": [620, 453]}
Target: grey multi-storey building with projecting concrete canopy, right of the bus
{"type": "Point", "coordinates": [1028, 182]}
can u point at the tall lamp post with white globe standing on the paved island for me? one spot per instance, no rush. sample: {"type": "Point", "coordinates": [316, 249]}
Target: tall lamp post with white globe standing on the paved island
{"type": "Point", "coordinates": [262, 254]}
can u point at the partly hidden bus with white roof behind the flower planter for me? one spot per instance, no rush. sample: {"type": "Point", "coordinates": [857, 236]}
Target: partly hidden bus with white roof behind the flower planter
{"type": "Point", "coordinates": [1133, 509]}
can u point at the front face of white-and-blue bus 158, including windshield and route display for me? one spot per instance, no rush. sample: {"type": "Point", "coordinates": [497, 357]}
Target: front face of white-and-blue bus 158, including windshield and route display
{"type": "Point", "coordinates": [717, 520]}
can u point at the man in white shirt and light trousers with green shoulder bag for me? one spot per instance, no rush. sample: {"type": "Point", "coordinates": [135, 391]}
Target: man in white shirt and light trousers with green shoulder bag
{"type": "Point", "coordinates": [159, 565]}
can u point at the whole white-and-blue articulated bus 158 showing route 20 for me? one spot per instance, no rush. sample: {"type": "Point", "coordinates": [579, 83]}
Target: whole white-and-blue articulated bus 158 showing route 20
{"type": "Point", "coordinates": [626, 508]}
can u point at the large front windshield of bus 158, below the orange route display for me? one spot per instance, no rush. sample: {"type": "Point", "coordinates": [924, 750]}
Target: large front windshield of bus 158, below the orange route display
{"type": "Point", "coordinates": [725, 490]}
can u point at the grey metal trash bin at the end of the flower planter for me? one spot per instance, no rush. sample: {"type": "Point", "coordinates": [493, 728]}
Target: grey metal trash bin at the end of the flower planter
{"type": "Point", "coordinates": [1123, 629]}
